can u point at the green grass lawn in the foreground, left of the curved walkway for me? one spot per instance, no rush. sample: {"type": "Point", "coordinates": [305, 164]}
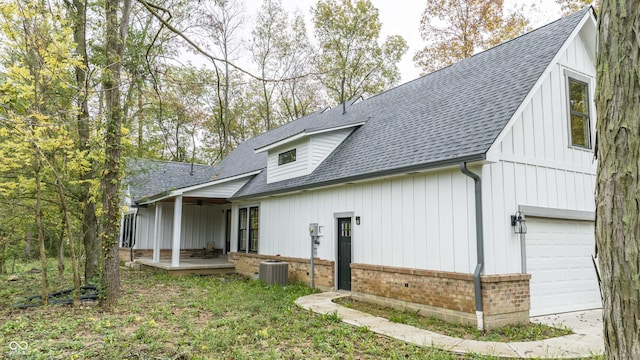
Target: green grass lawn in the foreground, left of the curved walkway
{"type": "Point", "coordinates": [191, 317]}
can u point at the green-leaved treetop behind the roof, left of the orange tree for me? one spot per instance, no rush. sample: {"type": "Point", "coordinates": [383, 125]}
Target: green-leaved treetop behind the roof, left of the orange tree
{"type": "Point", "coordinates": [351, 63]}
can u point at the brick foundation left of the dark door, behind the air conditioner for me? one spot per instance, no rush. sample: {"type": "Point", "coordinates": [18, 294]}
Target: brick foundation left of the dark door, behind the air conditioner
{"type": "Point", "coordinates": [248, 265]}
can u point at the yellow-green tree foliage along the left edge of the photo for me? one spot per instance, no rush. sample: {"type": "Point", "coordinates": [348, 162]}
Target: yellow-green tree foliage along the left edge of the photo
{"type": "Point", "coordinates": [37, 116]}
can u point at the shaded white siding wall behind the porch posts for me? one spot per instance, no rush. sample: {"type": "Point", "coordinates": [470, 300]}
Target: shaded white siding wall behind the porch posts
{"type": "Point", "coordinates": [200, 225]}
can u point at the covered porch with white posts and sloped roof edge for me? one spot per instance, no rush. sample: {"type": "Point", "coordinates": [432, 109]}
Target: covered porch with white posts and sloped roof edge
{"type": "Point", "coordinates": [172, 227]}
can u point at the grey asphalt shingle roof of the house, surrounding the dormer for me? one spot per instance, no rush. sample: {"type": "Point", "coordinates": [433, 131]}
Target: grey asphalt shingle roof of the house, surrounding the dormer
{"type": "Point", "coordinates": [451, 115]}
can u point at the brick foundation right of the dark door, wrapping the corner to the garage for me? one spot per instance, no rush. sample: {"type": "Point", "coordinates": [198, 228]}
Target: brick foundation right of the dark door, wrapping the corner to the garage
{"type": "Point", "coordinates": [446, 295]}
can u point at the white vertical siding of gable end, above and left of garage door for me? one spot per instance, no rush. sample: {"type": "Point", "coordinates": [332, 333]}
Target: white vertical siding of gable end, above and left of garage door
{"type": "Point", "coordinates": [538, 167]}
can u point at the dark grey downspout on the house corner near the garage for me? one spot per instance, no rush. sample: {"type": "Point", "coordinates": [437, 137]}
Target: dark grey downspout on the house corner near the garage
{"type": "Point", "coordinates": [479, 244]}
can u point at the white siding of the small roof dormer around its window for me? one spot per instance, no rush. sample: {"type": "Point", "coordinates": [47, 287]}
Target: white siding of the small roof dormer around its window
{"type": "Point", "coordinates": [310, 152]}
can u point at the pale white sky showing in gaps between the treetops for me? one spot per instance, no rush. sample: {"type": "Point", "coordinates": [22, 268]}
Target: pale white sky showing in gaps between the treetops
{"type": "Point", "coordinates": [402, 17]}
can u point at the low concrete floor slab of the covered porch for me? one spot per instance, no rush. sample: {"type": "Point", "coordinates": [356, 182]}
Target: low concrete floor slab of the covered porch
{"type": "Point", "coordinates": [189, 266]}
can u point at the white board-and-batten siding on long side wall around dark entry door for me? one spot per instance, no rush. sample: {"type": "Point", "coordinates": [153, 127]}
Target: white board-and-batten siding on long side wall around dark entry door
{"type": "Point", "coordinates": [424, 221]}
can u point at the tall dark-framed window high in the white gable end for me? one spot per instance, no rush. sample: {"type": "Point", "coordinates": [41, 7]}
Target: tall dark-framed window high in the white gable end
{"type": "Point", "coordinates": [579, 113]}
